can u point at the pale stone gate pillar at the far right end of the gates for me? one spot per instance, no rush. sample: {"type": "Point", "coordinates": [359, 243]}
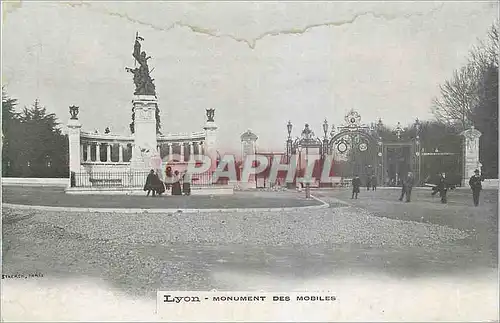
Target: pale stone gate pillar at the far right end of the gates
{"type": "Point", "coordinates": [470, 153]}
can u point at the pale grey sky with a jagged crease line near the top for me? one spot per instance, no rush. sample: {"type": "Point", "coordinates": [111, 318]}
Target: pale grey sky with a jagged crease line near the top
{"type": "Point", "coordinates": [258, 64]}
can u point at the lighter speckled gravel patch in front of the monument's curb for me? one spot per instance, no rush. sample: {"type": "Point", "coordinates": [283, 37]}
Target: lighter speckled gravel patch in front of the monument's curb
{"type": "Point", "coordinates": [309, 227]}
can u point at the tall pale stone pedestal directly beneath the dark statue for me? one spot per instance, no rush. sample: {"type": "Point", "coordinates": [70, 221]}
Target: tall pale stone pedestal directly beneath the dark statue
{"type": "Point", "coordinates": [145, 144]}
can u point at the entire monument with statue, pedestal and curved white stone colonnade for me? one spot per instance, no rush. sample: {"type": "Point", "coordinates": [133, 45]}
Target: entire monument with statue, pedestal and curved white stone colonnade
{"type": "Point", "coordinates": [120, 162]}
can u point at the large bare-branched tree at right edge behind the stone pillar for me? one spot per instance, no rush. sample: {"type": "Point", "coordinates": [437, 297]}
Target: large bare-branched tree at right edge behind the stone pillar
{"type": "Point", "coordinates": [471, 98]}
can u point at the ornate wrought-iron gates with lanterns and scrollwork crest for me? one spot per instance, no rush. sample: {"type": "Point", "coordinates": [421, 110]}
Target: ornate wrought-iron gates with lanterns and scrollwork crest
{"type": "Point", "coordinates": [358, 149]}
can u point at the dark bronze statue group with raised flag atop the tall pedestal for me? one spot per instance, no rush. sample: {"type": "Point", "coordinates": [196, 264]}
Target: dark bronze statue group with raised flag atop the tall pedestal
{"type": "Point", "coordinates": [142, 79]}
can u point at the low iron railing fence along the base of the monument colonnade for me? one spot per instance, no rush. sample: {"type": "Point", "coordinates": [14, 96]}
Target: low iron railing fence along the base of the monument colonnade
{"type": "Point", "coordinates": [135, 179]}
